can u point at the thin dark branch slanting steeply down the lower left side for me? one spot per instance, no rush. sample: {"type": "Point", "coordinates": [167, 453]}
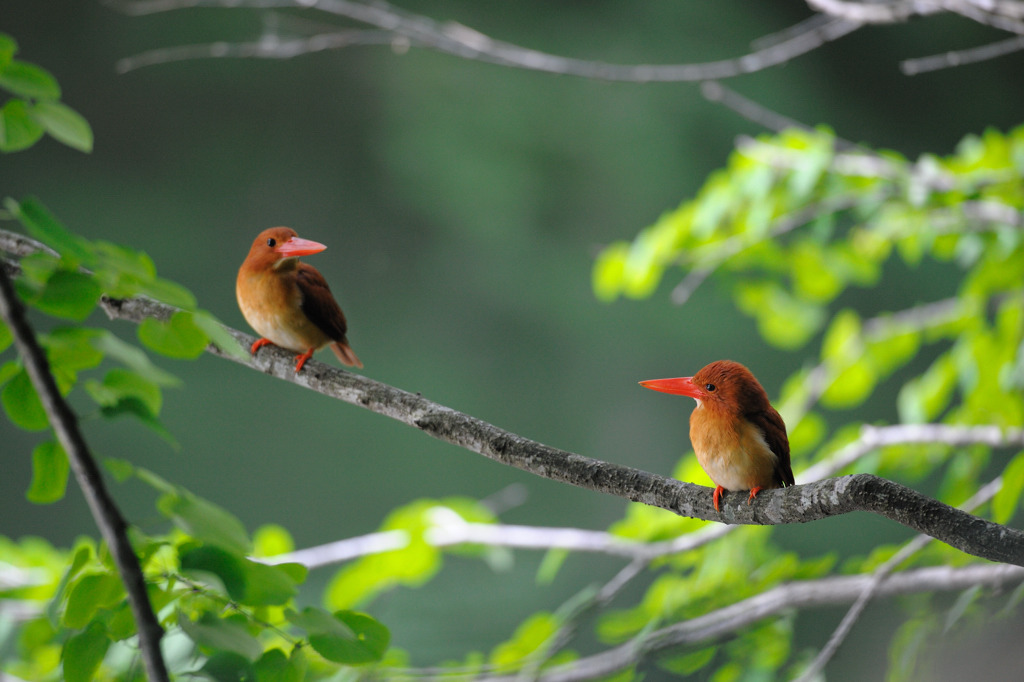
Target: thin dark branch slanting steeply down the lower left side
{"type": "Point", "coordinates": [105, 511]}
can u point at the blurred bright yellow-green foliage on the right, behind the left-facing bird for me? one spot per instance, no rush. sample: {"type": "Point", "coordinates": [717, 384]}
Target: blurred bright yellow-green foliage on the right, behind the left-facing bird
{"type": "Point", "coordinates": [789, 227]}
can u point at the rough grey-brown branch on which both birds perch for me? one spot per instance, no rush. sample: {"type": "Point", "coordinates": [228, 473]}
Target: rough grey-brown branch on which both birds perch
{"type": "Point", "coordinates": [794, 505]}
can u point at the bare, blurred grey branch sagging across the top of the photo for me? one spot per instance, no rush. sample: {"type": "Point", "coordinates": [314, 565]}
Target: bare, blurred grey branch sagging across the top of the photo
{"type": "Point", "coordinates": [465, 42]}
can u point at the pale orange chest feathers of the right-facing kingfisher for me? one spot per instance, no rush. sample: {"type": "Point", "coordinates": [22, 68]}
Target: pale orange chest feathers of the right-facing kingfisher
{"type": "Point", "coordinates": [272, 305]}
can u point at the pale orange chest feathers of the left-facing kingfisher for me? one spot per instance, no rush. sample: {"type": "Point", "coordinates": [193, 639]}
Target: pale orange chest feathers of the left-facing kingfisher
{"type": "Point", "coordinates": [734, 452]}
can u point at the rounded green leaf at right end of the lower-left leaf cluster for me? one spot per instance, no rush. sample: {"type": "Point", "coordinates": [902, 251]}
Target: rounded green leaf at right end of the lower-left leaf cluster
{"type": "Point", "coordinates": [346, 637]}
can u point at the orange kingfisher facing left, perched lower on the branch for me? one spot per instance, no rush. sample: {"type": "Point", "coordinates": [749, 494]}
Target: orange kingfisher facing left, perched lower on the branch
{"type": "Point", "coordinates": [739, 438]}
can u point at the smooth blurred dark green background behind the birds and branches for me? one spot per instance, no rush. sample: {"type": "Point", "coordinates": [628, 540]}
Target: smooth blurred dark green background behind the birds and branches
{"type": "Point", "coordinates": [462, 204]}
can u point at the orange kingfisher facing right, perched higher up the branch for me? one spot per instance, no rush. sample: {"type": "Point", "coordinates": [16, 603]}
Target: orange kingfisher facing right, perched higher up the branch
{"type": "Point", "coordinates": [287, 302]}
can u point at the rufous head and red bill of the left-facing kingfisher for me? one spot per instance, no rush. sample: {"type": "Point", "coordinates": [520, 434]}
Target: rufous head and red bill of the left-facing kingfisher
{"type": "Point", "coordinates": [723, 386]}
